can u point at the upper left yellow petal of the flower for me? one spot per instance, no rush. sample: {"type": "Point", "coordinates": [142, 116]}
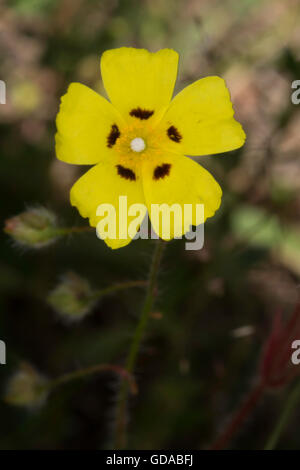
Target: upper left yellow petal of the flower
{"type": "Point", "coordinates": [84, 122]}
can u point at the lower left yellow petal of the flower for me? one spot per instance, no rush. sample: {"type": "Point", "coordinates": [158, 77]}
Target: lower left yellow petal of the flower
{"type": "Point", "coordinates": [103, 184]}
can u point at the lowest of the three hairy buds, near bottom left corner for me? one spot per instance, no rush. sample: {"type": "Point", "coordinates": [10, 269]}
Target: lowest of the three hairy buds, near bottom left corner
{"type": "Point", "coordinates": [26, 388]}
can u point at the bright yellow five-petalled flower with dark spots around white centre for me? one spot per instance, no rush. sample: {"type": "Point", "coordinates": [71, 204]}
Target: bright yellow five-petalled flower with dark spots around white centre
{"type": "Point", "coordinates": [138, 140]}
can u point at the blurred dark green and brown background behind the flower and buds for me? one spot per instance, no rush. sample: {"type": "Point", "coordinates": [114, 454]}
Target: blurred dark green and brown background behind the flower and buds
{"type": "Point", "coordinates": [215, 307]}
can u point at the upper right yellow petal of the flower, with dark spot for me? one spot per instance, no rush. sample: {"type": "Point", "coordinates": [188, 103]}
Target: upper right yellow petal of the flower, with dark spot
{"type": "Point", "coordinates": [200, 120]}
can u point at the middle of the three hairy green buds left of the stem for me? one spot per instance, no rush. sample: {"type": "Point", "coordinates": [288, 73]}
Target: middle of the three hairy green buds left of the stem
{"type": "Point", "coordinates": [73, 298]}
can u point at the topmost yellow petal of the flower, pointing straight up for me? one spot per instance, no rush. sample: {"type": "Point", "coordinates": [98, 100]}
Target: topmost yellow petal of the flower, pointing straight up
{"type": "Point", "coordinates": [138, 80]}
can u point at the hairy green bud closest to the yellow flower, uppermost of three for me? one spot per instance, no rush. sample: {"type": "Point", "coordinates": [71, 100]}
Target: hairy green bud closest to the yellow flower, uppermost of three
{"type": "Point", "coordinates": [33, 228]}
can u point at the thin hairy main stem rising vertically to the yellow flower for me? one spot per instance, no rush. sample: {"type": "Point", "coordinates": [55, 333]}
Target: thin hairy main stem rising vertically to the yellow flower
{"type": "Point", "coordinates": [122, 401]}
